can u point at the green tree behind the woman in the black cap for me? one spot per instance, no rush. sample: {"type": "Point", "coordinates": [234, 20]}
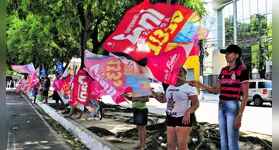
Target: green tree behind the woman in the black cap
{"type": "Point", "coordinates": [254, 38]}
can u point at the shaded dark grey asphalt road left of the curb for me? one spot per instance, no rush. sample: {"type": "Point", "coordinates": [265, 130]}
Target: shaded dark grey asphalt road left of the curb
{"type": "Point", "coordinates": [33, 132]}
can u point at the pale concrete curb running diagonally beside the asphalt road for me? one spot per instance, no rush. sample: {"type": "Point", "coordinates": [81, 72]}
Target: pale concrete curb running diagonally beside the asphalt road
{"type": "Point", "coordinates": [89, 139]}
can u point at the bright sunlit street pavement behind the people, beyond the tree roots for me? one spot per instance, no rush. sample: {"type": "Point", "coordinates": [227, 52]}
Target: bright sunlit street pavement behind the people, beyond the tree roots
{"type": "Point", "coordinates": [255, 119]}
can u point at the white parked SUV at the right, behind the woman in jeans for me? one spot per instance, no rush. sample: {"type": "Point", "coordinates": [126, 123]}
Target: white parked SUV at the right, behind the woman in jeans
{"type": "Point", "coordinates": [260, 91]}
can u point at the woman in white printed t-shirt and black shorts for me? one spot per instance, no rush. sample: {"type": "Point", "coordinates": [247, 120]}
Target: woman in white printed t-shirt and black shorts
{"type": "Point", "coordinates": [179, 111]}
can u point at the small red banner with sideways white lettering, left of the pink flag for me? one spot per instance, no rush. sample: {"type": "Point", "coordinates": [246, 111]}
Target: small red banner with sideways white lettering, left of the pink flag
{"type": "Point", "coordinates": [80, 89]}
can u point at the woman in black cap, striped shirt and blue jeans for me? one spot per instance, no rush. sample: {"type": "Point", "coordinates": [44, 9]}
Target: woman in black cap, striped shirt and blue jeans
{"type": "Point", "coordinates": [233, 85]}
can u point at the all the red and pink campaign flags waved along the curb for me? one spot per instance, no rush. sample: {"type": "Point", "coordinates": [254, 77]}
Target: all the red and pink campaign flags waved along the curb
{"type": "Point", "coordinates": [152, 41]}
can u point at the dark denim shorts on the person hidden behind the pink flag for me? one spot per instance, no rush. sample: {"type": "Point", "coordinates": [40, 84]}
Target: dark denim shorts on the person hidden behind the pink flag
{"type": "Point", "coordinates": [140, 116]}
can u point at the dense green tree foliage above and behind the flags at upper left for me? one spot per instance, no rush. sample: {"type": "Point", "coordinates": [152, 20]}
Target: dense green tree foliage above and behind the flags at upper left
{"type": "Point", "coordinates": [45, 32]}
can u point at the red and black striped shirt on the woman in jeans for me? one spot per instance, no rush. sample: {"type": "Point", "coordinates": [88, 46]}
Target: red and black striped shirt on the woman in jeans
{"type": "Point", "coordinates": [231, 81]}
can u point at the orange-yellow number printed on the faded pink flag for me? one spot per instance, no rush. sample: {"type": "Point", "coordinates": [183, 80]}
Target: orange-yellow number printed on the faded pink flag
{"type": "Point", "coordinates": [113, 68]}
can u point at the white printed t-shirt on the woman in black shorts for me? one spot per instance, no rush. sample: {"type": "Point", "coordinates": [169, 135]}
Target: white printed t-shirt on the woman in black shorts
{"type": "Point", "coordinates": [178, 99]}
